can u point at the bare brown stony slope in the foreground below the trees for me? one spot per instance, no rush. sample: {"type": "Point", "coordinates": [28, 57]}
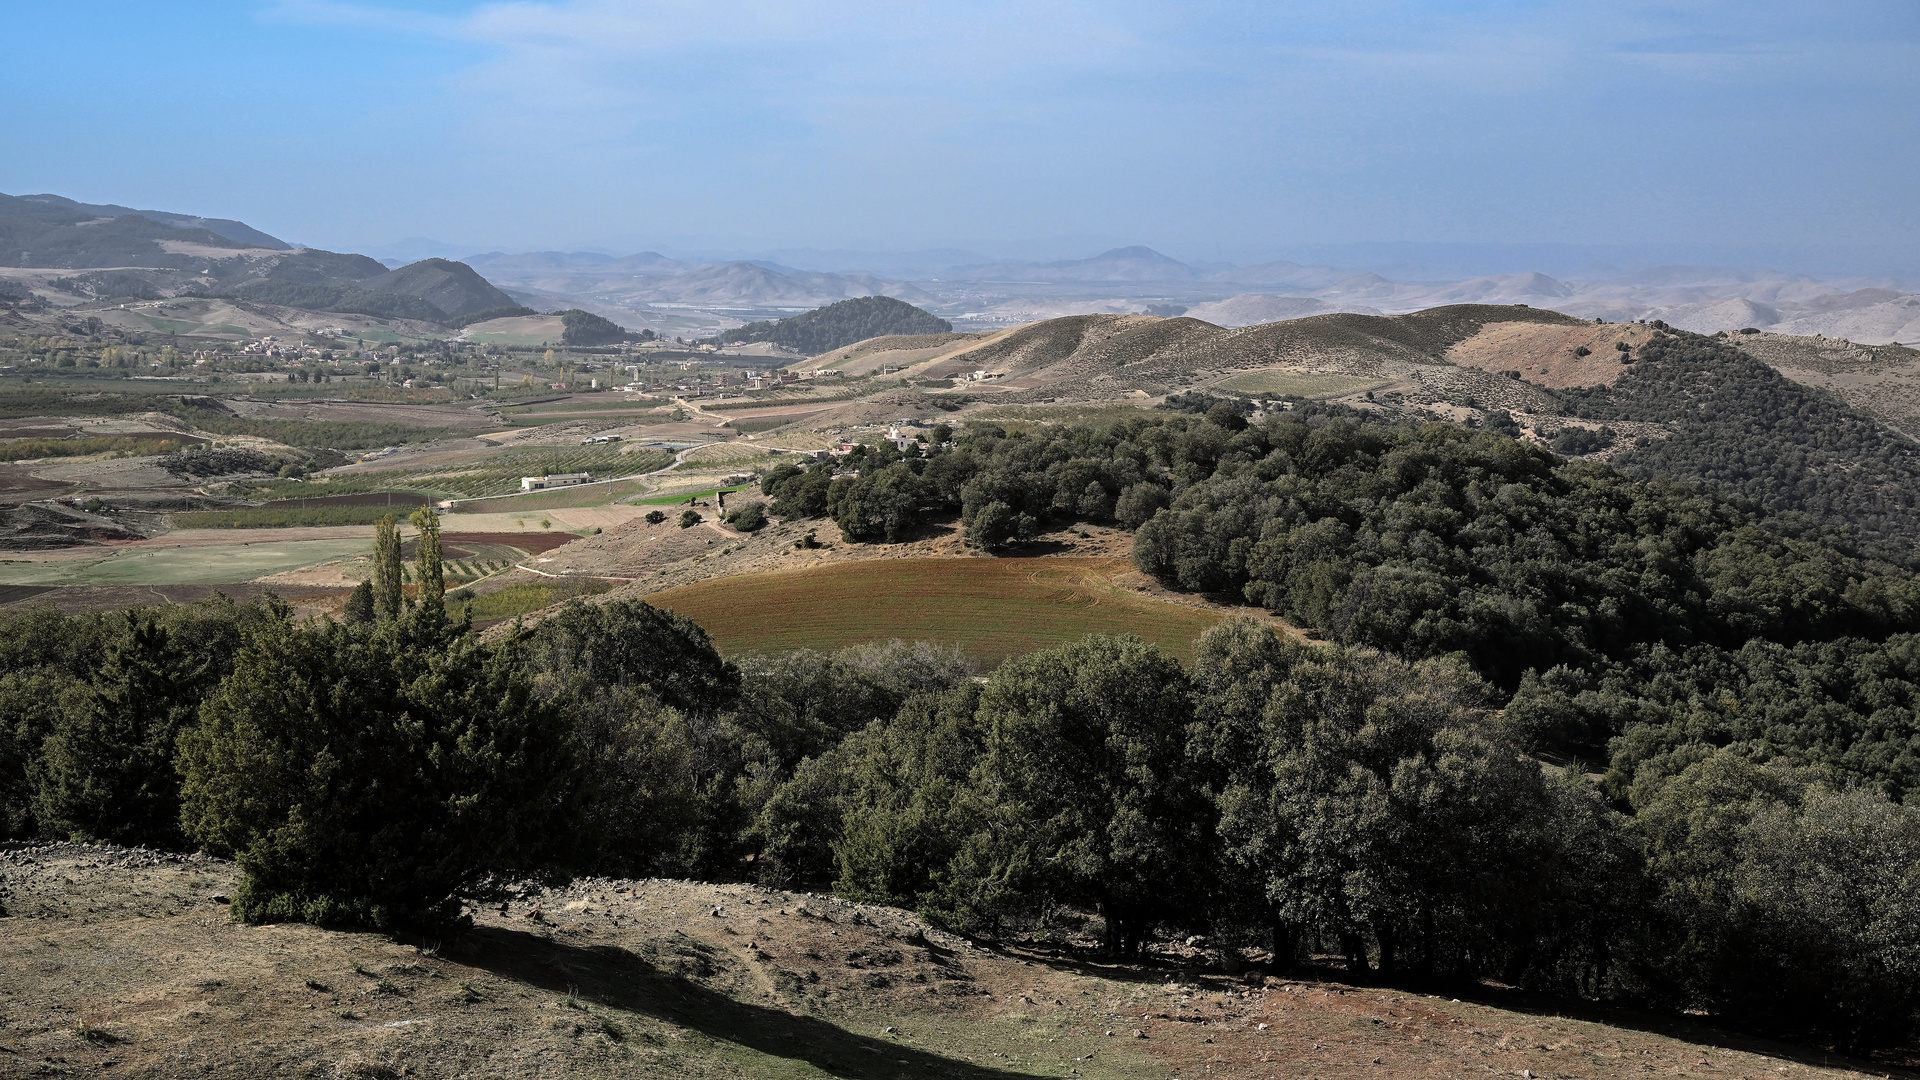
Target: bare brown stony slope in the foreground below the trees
{"type": "Point", "coordinates": [124, 964]}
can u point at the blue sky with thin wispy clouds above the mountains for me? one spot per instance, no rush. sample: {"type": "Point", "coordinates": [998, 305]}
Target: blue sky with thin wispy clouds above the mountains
{"type": "Point", "coordinates": [1212, 132]}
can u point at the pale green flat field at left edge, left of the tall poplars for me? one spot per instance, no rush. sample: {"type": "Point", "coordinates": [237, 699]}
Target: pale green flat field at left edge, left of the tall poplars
{"type": "Point", "coordinates": [216, 564]}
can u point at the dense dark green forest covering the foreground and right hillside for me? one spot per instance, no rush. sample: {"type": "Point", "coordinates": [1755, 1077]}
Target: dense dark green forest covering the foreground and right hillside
{"type": "Point", "coordinates": [1573, 729]}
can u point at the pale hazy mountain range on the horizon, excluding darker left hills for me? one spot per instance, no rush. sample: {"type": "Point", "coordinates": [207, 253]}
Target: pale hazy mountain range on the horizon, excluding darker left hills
{"type": "Point", "coordinates": [638, 289]}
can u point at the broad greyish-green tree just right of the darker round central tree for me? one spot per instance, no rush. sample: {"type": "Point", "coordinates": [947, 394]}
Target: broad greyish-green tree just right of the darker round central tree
{"type": "Point", "coordinates": [1374, 802]}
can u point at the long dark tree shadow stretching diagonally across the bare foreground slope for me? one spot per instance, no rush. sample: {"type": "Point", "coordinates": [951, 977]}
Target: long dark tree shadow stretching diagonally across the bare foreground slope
{"type": "Point", "coordinates": [625, 981]}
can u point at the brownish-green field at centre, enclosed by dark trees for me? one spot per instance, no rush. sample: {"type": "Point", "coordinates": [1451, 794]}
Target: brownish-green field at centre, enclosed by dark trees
{"type": "Point", "coordinates": [992, 608]}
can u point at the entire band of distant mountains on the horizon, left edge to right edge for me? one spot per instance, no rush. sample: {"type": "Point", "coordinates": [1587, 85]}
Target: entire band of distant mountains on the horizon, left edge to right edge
{"type": "Point", "coordinates": [124, 253]}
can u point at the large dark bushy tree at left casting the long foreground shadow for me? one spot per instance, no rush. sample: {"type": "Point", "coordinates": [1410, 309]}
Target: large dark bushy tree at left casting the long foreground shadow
{"type": "Point", "coordinates": [379, 777]}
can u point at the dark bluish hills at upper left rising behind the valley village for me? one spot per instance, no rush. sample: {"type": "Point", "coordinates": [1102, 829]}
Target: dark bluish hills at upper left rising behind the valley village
{"type": "Point", "coordinates": [155, 255]}
